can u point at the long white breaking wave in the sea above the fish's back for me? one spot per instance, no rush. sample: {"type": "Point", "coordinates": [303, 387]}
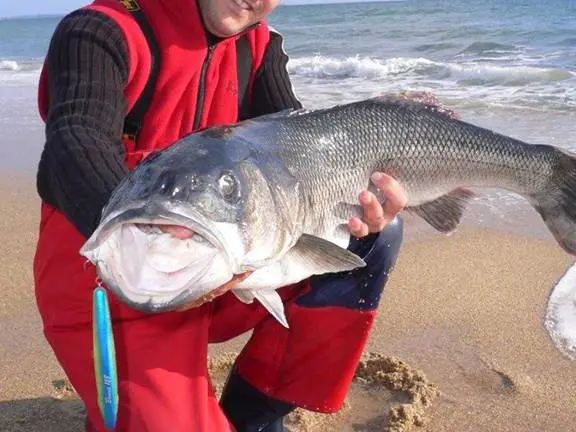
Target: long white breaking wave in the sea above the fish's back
{"type": "Point", "coordinates": [508, 85]}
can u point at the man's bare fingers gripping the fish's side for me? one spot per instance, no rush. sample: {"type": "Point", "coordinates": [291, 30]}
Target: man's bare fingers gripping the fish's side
{"type": "Point", "coordinates": [377, 216]}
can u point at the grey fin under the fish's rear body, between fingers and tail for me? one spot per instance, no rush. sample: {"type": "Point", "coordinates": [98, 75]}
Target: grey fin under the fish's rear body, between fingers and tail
{"type": "Point", "coordinates": [445, 213]}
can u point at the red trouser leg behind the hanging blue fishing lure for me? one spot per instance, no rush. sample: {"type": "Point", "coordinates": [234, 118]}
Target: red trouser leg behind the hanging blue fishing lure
{"type": "Point", "coordinates": [158, 388]}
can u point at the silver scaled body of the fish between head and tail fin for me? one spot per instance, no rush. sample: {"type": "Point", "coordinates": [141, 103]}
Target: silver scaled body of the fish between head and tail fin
{"type": "Point", "coordinates": [332, 152]}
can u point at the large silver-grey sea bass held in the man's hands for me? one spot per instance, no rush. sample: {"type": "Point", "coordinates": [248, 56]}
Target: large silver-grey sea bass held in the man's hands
{"type": "Point", "coordinates": [273, 195]}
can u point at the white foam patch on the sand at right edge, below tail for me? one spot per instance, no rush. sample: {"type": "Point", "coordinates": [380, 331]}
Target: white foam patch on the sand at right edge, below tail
{"type": "Point", "coordinates": [560, 319]}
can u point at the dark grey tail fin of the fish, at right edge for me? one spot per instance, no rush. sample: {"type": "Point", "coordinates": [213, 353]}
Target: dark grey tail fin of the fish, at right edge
{"type": "Point", "coordinates": [557, 202]}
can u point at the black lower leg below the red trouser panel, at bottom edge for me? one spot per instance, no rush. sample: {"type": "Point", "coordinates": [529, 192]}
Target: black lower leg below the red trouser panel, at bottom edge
{"type": "Point", "coordinates": [250, 410]}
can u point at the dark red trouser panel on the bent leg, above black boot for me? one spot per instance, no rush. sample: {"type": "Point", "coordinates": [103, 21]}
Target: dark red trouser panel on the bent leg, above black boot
{"type": "Point", "coordinates": [312, 364]}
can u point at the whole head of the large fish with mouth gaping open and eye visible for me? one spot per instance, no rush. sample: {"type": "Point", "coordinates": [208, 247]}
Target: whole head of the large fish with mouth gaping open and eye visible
{"type": "Point", "coordinates": [215, 190]}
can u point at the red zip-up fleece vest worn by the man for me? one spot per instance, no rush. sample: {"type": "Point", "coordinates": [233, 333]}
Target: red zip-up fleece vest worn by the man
{"type": "Point", "coordinates": [180, 36]}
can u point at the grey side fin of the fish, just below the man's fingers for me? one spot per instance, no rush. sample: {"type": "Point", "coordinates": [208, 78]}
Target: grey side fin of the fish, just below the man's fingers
{"type": "Point", "coordinates": [322, 256]}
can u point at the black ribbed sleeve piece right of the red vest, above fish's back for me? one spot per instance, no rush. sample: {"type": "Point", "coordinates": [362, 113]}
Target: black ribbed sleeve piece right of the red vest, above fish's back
{"type": "Point", "coordinates": [272, 90]}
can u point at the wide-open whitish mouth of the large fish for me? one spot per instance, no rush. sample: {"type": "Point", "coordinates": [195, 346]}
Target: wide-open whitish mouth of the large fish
{"type": "Point", "coordinates": [152, 271]}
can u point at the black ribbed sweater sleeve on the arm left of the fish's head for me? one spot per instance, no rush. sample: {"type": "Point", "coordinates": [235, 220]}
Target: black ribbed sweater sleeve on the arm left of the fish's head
{"type": "Point", "coordinates": [83, 157]}
